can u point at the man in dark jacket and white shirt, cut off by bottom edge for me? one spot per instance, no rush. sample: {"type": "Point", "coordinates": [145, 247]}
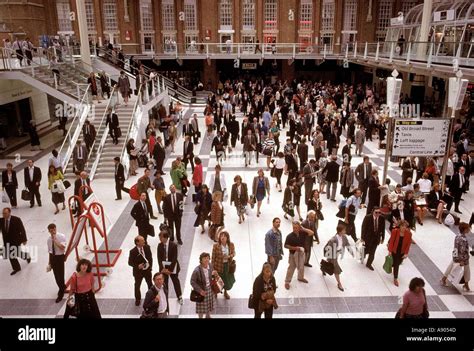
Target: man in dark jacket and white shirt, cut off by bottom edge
{"type": "Point", "coordinates": [156, 299]}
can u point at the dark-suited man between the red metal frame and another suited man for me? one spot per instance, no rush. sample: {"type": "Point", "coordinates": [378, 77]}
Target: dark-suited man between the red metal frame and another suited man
{"type": "Point", "coordinates": [141, 259]}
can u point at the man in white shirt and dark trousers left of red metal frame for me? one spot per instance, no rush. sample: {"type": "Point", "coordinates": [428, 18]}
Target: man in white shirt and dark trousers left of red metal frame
{"type": "Point", "coordinates": [56, 249]}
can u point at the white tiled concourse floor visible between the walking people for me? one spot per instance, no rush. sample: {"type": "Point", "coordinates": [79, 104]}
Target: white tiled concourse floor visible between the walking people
{"type": "Point", "coordinates": [435, 241]}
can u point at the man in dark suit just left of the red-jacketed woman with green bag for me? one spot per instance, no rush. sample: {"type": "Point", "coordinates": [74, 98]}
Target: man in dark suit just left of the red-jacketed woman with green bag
{"type": "Point", "coordinates": [373, 234]}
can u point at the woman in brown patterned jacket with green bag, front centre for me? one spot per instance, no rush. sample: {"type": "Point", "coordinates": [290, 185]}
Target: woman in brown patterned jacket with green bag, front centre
{"type": "Point", "coordinates": [223, 253]}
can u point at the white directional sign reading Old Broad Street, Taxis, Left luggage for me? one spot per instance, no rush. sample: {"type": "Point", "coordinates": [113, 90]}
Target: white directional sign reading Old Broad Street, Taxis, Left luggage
{"type": "Point", "coordinates": [420, 137]}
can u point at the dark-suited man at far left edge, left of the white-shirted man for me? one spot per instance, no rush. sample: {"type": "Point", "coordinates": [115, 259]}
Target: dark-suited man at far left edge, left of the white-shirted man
{"type": "Point", "coordinates": [14, 235]}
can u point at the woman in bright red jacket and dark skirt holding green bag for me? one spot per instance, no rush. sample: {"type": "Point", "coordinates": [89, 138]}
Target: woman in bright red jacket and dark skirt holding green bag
{"type": "Point", "coordinates": [398, 246]}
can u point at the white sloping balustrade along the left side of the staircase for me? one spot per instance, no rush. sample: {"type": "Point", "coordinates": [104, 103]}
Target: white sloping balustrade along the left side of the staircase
{"type": "Point", "coordinates": [75, 129]}
